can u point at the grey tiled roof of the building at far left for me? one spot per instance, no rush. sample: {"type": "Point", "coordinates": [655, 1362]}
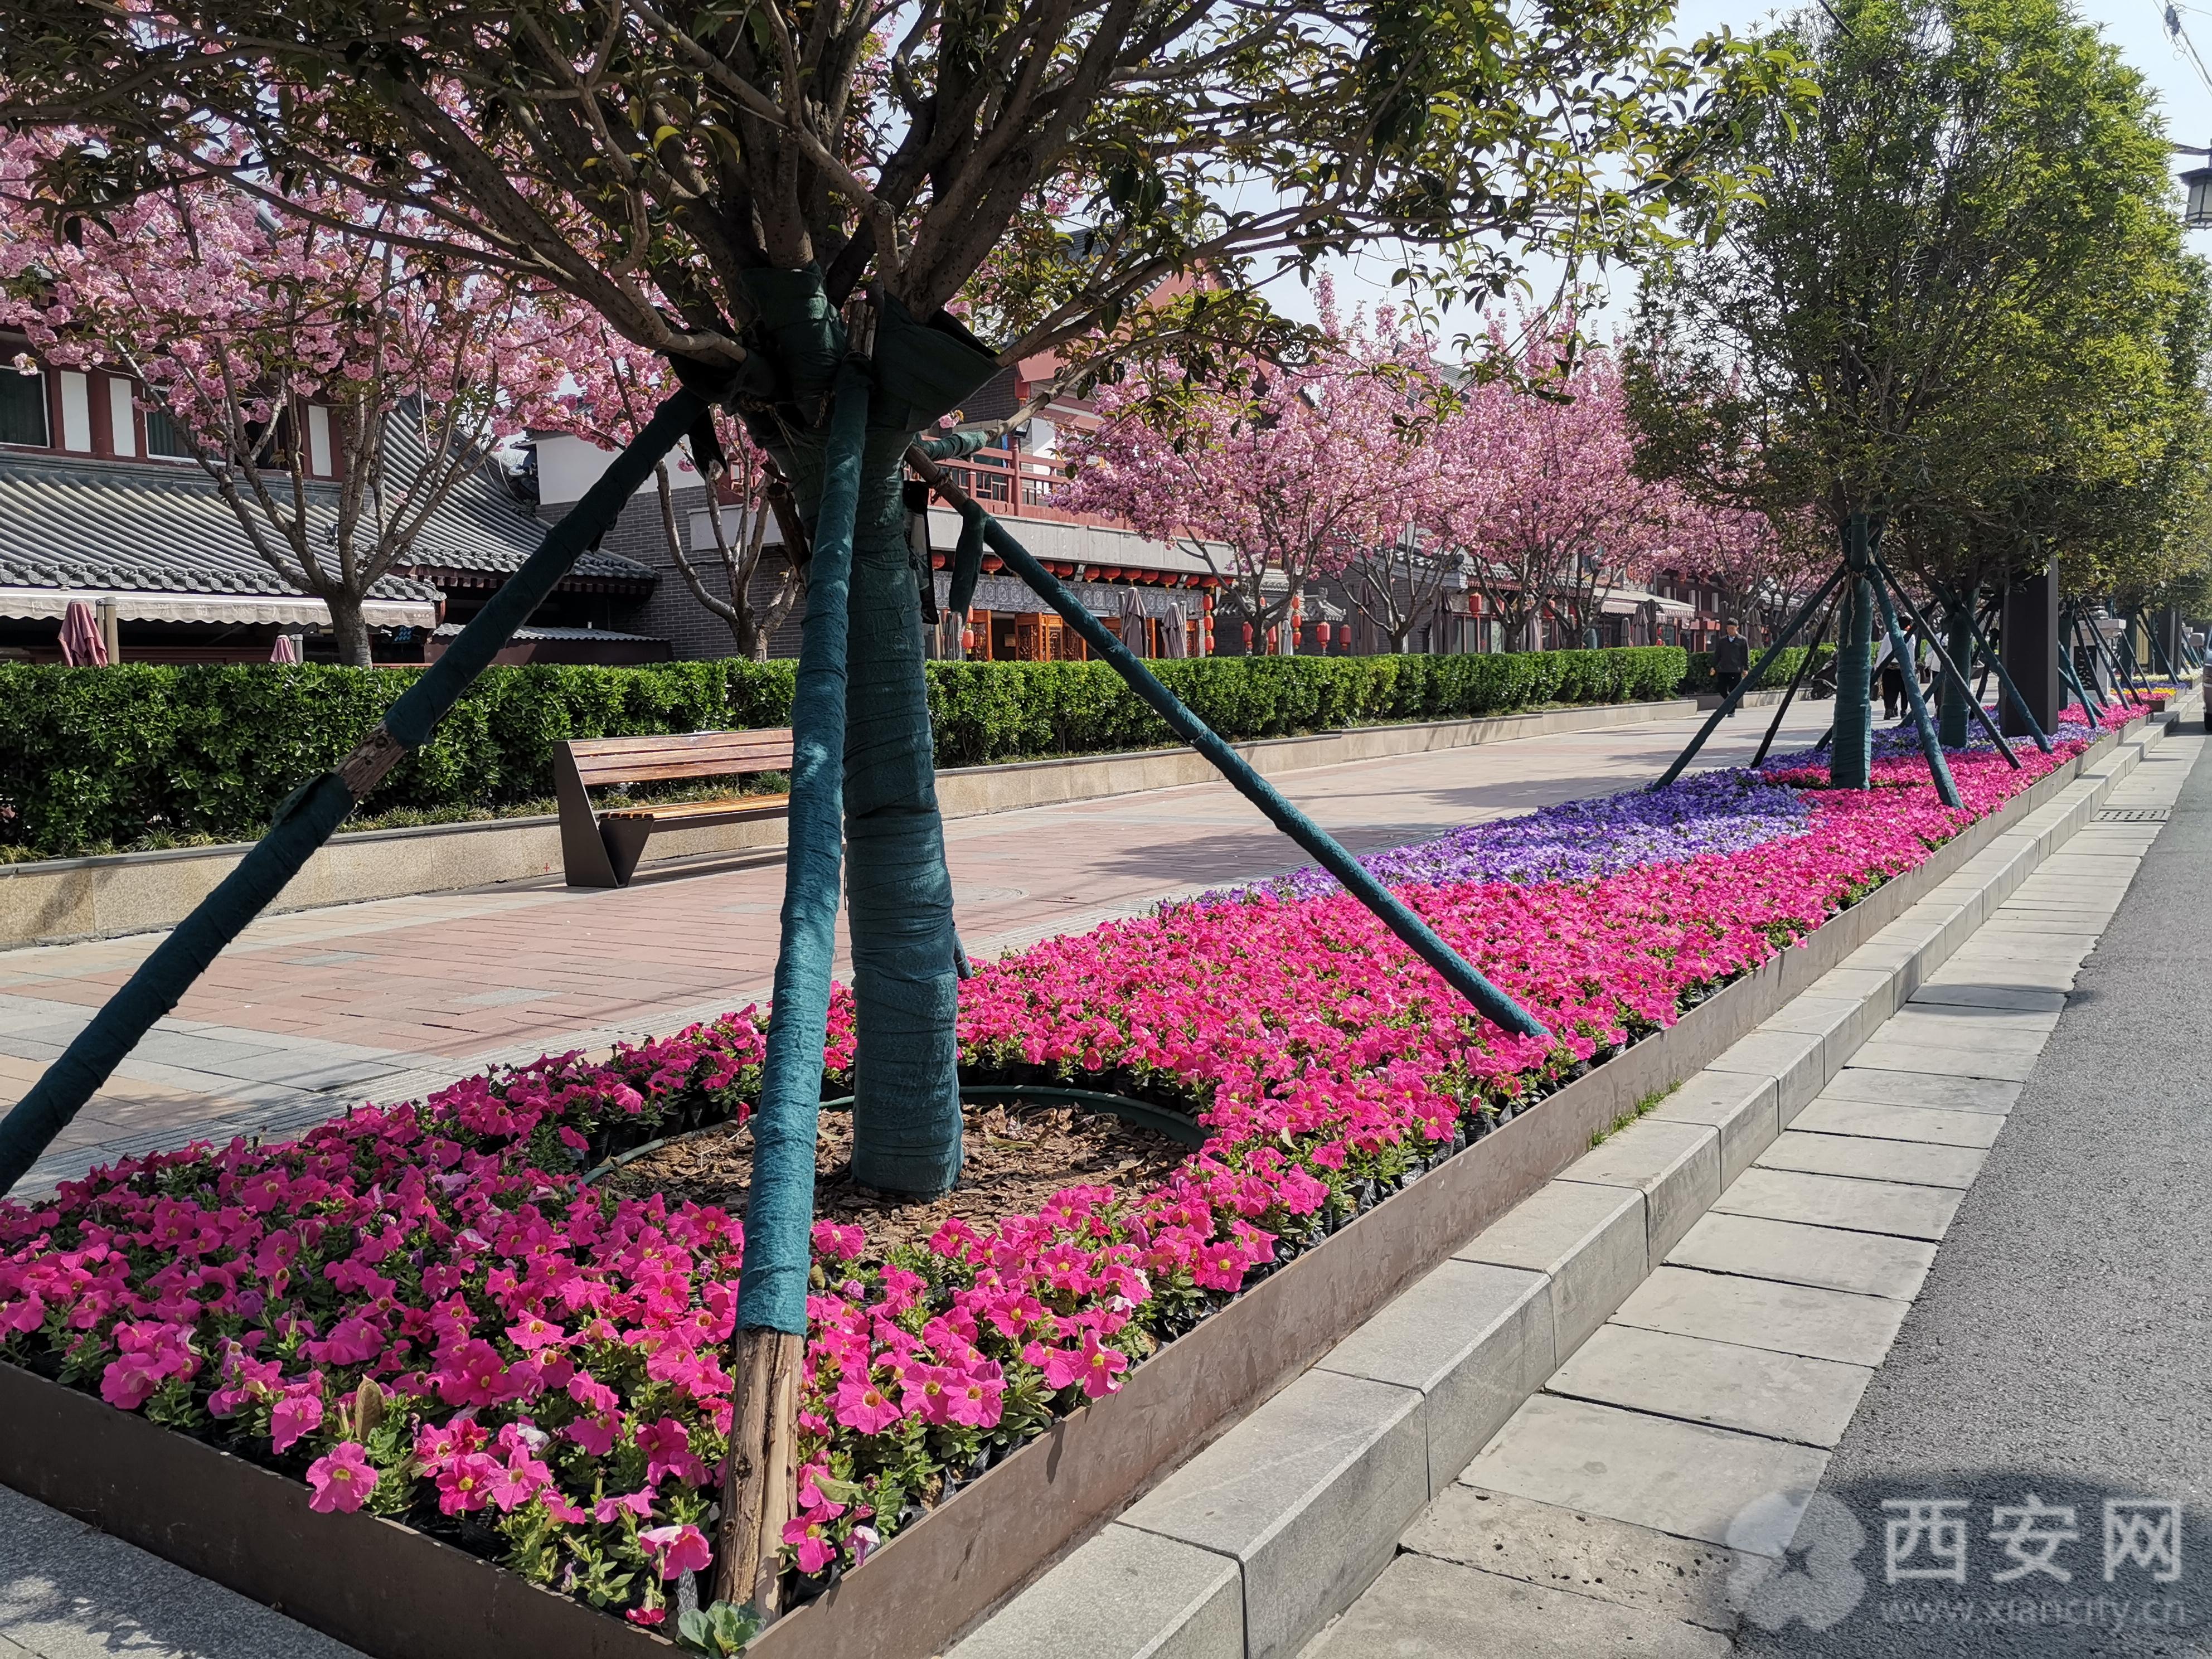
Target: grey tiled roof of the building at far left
{"type": "Point", "coordinates": [160, 528]}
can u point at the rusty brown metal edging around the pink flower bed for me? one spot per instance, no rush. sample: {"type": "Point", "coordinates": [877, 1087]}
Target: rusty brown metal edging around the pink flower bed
{"type": "Point", "coordinates": [399, 1594]}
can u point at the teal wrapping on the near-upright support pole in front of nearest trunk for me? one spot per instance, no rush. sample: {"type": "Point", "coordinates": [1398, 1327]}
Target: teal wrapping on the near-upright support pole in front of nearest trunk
{"type": "Point", "coordinates": [780, 1209]}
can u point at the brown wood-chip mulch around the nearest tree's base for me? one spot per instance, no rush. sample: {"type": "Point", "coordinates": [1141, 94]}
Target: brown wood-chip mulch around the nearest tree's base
{"type": "Point", "coordinates": [1014, 1158]}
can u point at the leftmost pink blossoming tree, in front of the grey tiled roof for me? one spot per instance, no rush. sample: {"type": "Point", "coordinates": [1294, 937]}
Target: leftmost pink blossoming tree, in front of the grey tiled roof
{"type": "Point", "coordinates": [251, 326]}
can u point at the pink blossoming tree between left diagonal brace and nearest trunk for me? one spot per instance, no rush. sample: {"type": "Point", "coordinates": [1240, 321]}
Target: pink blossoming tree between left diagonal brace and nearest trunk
{"type": "Point", "coordinates": [612, 397]}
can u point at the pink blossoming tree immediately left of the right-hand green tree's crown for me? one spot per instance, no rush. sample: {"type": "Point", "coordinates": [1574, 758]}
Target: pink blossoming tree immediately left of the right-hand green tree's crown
{"type": "Point", "coordinates": [1541, 486]}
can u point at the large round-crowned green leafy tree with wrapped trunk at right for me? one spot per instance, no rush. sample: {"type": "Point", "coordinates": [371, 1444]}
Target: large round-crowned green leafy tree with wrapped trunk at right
{"type": "Point", "coordinates": [1952, 304]}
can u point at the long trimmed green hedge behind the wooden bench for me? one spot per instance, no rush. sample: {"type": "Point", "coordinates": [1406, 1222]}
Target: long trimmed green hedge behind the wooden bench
{"type": "Point", "coordinates": [109, 758]}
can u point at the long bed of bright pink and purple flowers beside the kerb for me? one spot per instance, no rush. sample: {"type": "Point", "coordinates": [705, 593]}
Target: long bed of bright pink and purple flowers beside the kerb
{"type": "Point", "coordinates": [421, 1311]}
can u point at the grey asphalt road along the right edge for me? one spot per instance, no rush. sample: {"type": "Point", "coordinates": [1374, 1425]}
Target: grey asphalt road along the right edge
{"type": "Point", "coordinates": [2063, 1344]}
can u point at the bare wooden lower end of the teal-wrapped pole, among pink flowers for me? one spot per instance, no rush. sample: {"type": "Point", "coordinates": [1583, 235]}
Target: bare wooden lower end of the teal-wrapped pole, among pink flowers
{"type": "Point", "coordinates": [762, 1488]}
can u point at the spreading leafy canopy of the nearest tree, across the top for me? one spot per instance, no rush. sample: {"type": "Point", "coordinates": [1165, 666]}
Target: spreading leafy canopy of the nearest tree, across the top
{"type": "Point", "coordinates": [1045, 163]}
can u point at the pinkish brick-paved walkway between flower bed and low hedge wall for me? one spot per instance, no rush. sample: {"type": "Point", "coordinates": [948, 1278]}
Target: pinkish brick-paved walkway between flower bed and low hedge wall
{"type": "Point", "coordinates": [320, 1010]}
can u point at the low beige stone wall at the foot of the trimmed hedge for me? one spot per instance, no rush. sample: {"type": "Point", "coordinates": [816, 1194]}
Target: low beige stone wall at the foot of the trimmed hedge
{"type": "Point", "coordinates": [67, 899]}
